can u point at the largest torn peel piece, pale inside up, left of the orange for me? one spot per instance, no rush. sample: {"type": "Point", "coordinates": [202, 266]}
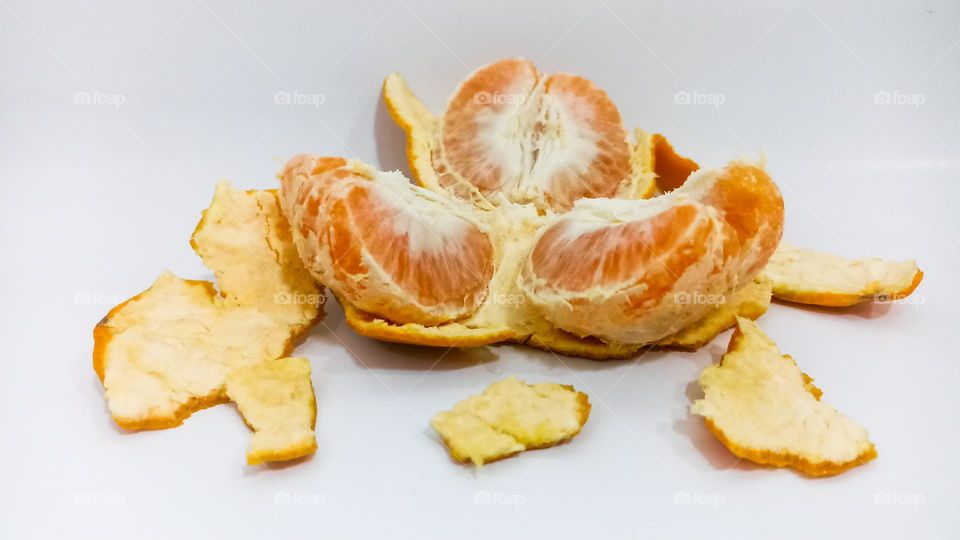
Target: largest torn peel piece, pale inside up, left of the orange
{"type": "Point", "coordinates": [167, 352]}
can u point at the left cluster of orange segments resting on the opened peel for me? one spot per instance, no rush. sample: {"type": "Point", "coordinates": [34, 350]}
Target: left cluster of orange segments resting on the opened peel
{"type": "Point", "coordinates": [385, 245]}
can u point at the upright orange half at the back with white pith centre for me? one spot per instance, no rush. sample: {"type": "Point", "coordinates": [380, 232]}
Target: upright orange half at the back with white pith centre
{"type": "Point", "coordinates": [547, 142]}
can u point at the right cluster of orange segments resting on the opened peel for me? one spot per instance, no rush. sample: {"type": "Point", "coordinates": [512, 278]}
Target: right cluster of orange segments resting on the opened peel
{"type": "Point", "coordinates": [635, 271]}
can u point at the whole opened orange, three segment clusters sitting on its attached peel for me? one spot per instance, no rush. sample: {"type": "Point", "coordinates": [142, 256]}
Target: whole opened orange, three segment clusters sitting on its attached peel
{"type": "Point", "coordinates": [537, 218]}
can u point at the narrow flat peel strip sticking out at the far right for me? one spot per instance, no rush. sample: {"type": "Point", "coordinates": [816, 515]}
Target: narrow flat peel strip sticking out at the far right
{"type": "Point", "coordinates": [822, 279]}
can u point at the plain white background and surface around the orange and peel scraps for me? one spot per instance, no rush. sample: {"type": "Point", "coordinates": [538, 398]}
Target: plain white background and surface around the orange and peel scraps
{"type": "Point", "coordinates": [97, 199]}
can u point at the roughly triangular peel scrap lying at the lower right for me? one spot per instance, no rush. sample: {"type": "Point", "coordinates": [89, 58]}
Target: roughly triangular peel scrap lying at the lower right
{"type": "Point", "coordinates": [760, 406]}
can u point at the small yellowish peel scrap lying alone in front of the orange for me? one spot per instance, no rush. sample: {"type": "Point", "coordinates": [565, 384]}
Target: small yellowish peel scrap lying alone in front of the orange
{"type": "Point", "coordinates": [509, 417]}
